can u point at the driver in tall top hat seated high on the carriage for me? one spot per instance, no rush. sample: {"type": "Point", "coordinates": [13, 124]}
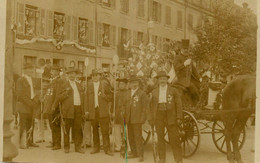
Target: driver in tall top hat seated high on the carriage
{"type": "Point", "coordinates": [186, 72]}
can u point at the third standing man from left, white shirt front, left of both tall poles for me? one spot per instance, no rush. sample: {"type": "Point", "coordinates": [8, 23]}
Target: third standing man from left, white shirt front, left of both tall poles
{"type": "Point", "coordinates": [70, 96]}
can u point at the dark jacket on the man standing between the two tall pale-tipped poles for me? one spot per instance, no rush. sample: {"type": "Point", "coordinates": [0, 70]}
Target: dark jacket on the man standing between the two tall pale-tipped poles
{"type": "Point", "coordinates": [105, 96]}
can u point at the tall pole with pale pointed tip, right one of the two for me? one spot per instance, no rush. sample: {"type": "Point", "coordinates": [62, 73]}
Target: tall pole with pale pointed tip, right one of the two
{"type": "Point", "coordinates": [115, 60]}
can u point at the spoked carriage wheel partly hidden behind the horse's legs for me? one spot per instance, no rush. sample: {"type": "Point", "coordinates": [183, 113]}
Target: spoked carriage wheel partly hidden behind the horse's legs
{"type": "Point", "coordinates": [219, 138]}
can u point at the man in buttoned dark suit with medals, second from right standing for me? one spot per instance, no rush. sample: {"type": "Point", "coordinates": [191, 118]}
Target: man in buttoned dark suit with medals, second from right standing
{"type": "Point", "coordinates": [135, 106]}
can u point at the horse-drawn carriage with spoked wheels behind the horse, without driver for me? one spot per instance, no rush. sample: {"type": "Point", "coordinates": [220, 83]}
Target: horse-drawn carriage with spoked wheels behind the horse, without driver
{"type": "Point", "coordinates": [204, 119]}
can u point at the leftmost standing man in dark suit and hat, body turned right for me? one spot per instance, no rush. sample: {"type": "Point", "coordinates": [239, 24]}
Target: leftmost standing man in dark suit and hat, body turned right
{"type": "Point", "coordinates": [27, 102]}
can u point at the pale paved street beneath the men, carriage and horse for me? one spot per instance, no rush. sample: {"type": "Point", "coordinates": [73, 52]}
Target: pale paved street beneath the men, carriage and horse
{"type": "Point", "coordinates": [207, 153]}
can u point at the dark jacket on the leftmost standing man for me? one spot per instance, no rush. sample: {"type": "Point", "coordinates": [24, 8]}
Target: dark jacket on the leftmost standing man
{"type": "Point", "coordinates": [25, 104]}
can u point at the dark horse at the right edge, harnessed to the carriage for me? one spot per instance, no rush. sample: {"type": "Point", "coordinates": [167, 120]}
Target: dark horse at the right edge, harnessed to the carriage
{"type": "Point", "coordinates": [239, 102]}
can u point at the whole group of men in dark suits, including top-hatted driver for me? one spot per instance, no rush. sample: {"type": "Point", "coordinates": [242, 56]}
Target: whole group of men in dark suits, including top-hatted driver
{"type": "Point", "coordinates": [82, 108]}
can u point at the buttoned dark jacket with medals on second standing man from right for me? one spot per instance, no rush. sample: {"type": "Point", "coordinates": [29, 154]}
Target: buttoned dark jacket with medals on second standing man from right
{"type": "Point", "coordinates": [136, 107]}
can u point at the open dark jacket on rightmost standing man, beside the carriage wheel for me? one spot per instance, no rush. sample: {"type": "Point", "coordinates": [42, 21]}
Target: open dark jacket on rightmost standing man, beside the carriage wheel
{"type": "Point", "coordinates": [174, 105]}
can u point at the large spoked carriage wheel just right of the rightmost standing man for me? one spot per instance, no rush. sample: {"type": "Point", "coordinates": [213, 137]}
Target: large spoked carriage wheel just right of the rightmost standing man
{"type": "Point", "coordinates": [190, 134]}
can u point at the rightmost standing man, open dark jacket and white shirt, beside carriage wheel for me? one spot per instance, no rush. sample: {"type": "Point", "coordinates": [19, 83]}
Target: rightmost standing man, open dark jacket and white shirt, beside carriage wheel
{"type": "Point", "coordinates": [166, 112]}
